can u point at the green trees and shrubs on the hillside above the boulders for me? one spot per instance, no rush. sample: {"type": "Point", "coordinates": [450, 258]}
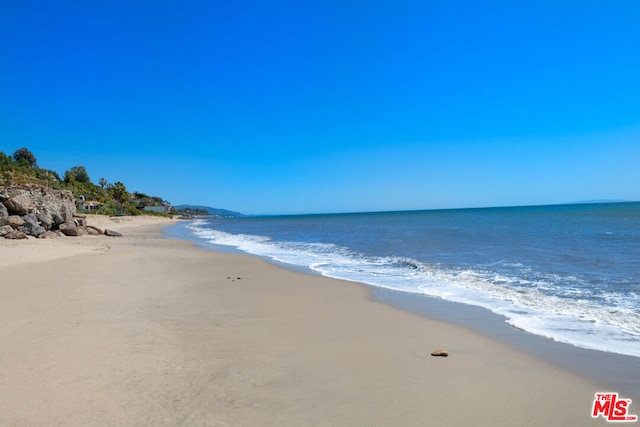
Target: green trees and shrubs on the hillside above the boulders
{"type": "Point", "coordinates": [113, 199]}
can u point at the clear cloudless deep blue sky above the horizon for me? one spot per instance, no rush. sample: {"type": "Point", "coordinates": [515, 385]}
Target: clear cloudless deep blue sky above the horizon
{"type": "Point", "coordinates": [330, 106]}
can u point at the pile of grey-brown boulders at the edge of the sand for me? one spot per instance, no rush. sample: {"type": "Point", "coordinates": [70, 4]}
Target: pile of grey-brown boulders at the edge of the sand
{"type": "Point", "coordinates": [33, 210]}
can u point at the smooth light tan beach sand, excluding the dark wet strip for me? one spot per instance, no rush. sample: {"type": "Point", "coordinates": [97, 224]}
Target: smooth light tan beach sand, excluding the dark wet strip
{"type": "Point", "coordinates": [145, 330]}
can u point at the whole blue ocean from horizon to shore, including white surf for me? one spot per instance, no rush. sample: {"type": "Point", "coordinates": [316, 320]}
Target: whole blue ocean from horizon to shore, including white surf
{"type": "Point", "coordinates": [568, 272]}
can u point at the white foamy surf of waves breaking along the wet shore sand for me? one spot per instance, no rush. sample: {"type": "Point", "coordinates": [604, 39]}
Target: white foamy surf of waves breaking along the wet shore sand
{"type": "Point", "coordinates": [569, 315]}
